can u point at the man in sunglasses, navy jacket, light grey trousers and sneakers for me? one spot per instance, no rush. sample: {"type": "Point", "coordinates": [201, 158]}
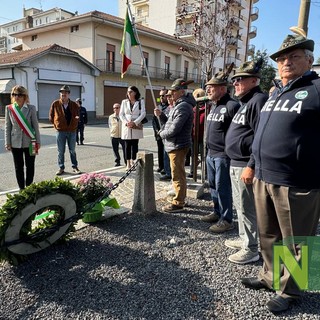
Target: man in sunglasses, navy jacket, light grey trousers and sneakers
{"type": "Point", "coordinates": [239, 139]}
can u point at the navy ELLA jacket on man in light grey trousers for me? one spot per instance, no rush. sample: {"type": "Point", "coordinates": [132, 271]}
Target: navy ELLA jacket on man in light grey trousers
{"type": "Point", "coordinates": [242, 128]}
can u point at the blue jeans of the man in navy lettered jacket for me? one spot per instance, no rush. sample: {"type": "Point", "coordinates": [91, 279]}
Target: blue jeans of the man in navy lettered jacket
{"type": "Point", "coordinates": [218, 170]}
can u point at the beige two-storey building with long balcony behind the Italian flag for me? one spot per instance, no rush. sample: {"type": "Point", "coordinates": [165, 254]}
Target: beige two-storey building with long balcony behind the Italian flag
{"type": "Point", "coordinates": [97, 37]}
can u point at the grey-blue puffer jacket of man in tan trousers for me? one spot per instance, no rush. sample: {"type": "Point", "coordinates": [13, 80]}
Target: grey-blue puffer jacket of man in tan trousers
{"type": "Point", "coordinates": [177, 130]}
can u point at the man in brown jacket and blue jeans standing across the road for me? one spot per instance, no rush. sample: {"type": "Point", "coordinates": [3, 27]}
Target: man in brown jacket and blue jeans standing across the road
{"type": "Point", "coordinates": [64, 115]}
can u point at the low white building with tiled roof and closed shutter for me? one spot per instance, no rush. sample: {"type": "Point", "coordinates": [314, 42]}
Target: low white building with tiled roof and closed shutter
{"type": "Point", "coordinates": [43, 71]}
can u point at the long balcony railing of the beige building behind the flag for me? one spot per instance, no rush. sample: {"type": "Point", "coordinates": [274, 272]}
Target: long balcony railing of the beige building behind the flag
{"type": "Point", "coordinates": [138, 70]}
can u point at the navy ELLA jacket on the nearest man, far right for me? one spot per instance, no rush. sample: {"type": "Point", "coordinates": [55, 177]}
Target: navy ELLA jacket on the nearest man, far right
{"type": "Point", "coordinates": [286, 147]}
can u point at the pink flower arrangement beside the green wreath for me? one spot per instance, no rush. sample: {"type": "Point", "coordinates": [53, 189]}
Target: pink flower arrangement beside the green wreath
{"type": "Point", "coordinates": [94, 185]}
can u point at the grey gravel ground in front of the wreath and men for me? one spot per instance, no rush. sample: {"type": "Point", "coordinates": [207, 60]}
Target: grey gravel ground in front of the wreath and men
{"type": "Point", "coordinates": [163, 266]}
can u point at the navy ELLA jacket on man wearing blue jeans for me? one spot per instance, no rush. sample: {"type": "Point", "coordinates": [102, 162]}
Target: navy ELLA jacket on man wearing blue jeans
{"type": "Point", "coordinates": [218, 122]}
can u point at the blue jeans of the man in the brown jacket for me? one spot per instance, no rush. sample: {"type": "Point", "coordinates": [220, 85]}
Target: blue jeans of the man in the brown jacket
{"type": "Point", "coordinates": [64, 137]}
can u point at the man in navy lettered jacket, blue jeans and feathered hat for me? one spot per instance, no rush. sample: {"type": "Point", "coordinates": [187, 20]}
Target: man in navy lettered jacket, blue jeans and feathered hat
{"type": "Point", "coordinates": [219, 119]}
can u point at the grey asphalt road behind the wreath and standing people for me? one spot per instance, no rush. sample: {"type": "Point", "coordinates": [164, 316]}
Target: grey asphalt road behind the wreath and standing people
{"type": "Point", "coordinates": [95, 155]}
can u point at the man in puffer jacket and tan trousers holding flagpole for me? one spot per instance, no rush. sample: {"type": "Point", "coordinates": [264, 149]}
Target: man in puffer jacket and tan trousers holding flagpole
{"type": "Point", "coordinates": [176, 135]}
